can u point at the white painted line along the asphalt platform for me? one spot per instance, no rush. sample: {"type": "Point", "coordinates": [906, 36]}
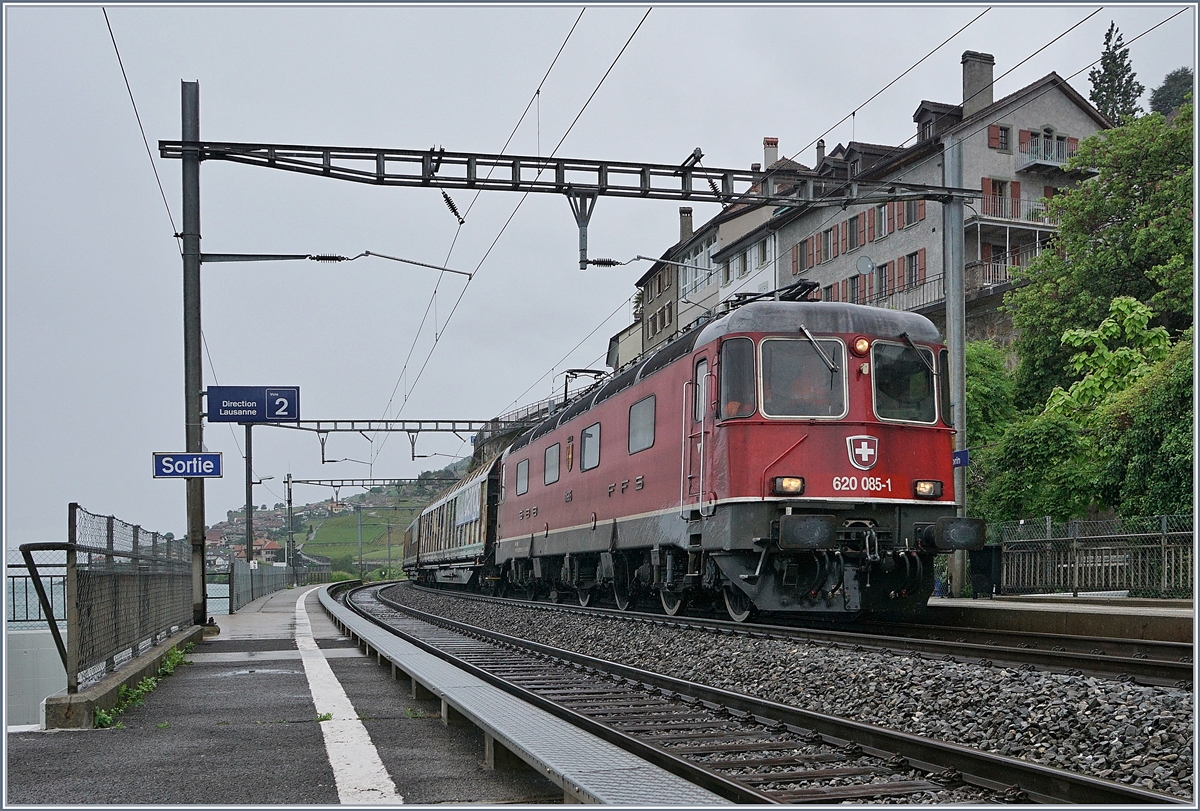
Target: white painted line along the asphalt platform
{"type": "Point", "coordinates": [361, 776]}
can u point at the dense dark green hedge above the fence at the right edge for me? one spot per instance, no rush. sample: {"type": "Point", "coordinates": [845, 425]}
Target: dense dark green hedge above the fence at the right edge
{"type": "Point", "coordinates": [1145, 435]}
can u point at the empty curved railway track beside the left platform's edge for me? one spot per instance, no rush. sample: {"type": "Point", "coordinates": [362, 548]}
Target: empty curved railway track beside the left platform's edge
{"type": "Point", "coordinates": [742, 748]}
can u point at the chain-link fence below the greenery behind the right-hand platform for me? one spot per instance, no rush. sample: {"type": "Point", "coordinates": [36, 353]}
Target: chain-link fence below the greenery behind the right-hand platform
{"type": "Point", "coordinates": [1147, 557]}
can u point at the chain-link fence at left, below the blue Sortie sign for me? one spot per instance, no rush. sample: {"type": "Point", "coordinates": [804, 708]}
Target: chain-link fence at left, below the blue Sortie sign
{"type": "Point", "coordinates": [125, 591]}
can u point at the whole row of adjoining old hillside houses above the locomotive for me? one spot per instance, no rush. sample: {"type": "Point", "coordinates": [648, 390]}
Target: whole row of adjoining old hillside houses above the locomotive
{"type": "Point", "coordinates": [889, 255]}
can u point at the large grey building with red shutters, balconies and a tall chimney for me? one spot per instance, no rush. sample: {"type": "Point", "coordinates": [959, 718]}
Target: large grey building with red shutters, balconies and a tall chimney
{"type": "Point", "coordinates": [893, 255]}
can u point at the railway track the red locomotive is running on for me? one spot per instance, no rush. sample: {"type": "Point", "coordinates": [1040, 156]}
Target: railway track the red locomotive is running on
{"type": "Point", "coordinates": [1141, 662]}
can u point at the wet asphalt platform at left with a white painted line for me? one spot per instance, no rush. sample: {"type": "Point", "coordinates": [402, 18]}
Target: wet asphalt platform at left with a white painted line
{"type": "Point", "coordinates": [239, 726]}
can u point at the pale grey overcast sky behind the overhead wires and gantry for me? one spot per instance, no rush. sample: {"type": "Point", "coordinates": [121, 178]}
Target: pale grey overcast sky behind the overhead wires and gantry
{"type": "Point", "coordinates": [93, 275]}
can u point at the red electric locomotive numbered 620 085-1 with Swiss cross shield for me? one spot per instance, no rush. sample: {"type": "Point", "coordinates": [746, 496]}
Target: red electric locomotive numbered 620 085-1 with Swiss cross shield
{"type": "Point", "coordinates": [788, 456]}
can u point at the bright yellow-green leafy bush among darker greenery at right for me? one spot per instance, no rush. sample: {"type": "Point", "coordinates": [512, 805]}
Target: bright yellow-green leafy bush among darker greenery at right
{"type": "Point", "coordinates": [1111, 369]}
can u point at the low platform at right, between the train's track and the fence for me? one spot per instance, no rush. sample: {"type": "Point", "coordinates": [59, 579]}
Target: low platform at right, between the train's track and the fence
{"type": "Point", "coordinates": [1167, 621]}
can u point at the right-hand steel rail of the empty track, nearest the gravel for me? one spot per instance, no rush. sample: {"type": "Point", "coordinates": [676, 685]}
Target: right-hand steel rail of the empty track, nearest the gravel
{"type": "Point", "coordinates": [985, 770]}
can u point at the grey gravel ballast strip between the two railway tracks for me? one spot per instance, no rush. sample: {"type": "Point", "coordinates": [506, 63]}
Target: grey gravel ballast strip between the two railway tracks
{"type": "Point", "coordinates": [1124, 732]}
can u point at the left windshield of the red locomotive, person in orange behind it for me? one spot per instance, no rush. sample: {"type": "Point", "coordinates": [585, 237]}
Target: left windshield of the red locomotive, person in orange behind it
{"type": "Point", "coordinates": [799, 382]}
